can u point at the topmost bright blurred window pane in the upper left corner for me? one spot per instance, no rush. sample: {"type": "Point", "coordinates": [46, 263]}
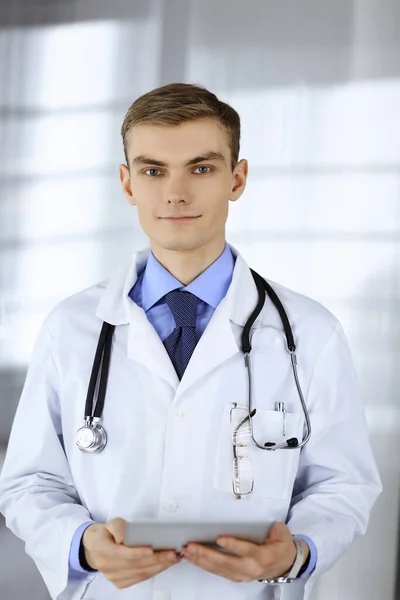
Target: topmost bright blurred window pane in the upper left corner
{"type": "Point", "coordinates": [79, 65]}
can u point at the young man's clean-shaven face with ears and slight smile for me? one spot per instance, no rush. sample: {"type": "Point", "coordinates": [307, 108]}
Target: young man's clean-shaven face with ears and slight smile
{"type": "Point", "coordinates": [169, 176]}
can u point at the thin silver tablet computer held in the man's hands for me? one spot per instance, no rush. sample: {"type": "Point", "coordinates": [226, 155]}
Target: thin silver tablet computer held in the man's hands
{"type": "Point", "coordinates": [172, 535]}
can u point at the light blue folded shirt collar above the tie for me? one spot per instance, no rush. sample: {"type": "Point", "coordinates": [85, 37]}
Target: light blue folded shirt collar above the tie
{"type": "Point", "coordinates": [210, 286]}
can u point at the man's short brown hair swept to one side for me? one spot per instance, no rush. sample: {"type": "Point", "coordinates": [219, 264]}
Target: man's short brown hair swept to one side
{"type": "Point", "coordinates": [176, 103]}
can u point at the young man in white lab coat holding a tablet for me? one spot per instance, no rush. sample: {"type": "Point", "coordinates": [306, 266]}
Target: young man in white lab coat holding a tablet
{"type": "Point", "coordinates": [176, 372]}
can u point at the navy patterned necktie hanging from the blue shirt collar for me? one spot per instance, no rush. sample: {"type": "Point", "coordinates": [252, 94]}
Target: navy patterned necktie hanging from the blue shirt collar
{"type": "Point", "coordinates": [182, 341]}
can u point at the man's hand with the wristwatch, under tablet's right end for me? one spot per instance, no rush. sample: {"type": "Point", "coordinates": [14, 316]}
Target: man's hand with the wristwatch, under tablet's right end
{"type": "Point", "coordinates": [273, 558]}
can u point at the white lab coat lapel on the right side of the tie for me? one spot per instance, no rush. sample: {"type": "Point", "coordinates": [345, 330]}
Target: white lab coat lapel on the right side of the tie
{"type": "Point", "coordinates": [218, 343]}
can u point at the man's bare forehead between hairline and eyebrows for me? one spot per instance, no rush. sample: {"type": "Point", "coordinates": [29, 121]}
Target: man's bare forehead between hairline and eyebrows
{"type": "Point", "coordinates": [179, 142]}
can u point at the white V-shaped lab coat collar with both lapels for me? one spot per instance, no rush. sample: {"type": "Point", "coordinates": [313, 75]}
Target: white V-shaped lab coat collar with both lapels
{"type": "Point", "coordinates": [217, 344]}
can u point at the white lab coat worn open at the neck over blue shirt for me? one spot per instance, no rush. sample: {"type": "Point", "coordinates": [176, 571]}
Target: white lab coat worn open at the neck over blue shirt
{"type": "Point", "coordinates": [169, 453]}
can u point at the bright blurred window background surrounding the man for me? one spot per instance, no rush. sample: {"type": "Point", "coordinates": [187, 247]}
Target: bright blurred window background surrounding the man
{"type": "Point", "coordinates": [317, 85]}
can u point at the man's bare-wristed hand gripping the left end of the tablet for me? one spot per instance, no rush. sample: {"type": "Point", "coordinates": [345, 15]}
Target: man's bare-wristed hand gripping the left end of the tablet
{"type": "Point", "coordinates": [122, 565]}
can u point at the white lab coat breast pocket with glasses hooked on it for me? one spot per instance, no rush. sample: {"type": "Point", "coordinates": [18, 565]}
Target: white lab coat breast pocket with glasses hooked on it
{"type": "Point", "coordinates": [273, 471]}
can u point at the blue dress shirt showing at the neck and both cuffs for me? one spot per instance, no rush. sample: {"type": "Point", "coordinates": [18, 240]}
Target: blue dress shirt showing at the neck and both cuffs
{"type": "Point", "coordinates": [153, 283]}
